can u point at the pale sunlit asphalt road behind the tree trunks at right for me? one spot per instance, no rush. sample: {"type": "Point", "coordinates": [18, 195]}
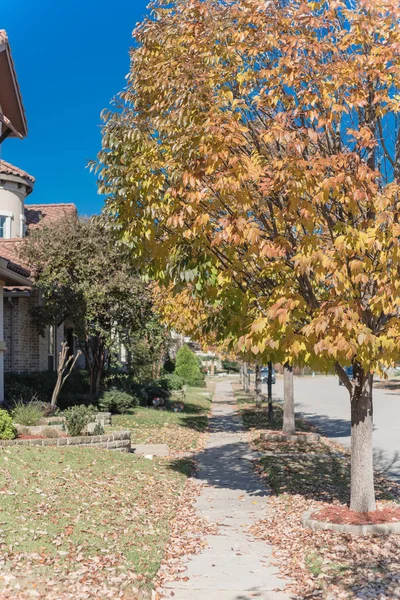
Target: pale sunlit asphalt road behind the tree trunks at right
{"type": "Point", "coordinates": [324, 403]}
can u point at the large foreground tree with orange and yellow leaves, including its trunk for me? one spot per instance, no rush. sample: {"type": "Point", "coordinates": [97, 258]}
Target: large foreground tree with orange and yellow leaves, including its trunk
{"type": "Point", "coordinates": [256, 153]}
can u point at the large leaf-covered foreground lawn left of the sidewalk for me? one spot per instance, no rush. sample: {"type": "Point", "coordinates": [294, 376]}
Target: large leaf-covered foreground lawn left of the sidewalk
{"type": "Point", "coordinates": [83, 523]}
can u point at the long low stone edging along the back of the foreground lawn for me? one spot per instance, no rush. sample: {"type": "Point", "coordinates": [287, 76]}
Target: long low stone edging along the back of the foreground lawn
{"type": "Point", "coordinates": [118, 440]}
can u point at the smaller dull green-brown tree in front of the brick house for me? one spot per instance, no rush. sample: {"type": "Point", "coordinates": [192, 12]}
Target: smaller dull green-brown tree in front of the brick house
{"type": "Point", "coordinates": [86, 277]}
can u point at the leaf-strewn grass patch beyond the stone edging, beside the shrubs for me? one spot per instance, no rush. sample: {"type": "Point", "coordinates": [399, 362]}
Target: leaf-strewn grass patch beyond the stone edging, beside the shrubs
{"type": "Point", "coordinates": [182, 432]}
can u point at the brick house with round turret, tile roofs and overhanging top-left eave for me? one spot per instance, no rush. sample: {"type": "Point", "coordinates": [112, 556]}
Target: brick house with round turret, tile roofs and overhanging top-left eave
{"type": "Point", "coordinates": [22, 349]}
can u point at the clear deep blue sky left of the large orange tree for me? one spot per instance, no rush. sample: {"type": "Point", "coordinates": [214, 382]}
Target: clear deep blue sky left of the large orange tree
{"type": "Point", "coordinates": [71, 59]}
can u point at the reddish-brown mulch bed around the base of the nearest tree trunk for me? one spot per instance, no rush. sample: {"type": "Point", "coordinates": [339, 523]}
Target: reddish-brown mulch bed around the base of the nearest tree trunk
{"type": "Point", "coordinates": [342, 515]}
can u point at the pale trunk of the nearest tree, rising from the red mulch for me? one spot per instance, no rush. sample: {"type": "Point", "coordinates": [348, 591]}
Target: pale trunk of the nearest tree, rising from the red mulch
{"type": "Point", "coordinates": [362, 492]}
